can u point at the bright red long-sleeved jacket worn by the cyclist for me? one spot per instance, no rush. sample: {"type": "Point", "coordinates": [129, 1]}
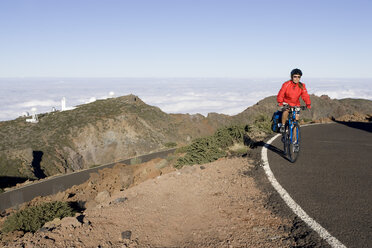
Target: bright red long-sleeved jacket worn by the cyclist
{"type": "Point", "coordinates": [290, 93]}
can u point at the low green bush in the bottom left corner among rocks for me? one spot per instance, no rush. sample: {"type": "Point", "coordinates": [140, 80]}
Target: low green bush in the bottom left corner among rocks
{"type": "Point", "coordinates": [33, 218]}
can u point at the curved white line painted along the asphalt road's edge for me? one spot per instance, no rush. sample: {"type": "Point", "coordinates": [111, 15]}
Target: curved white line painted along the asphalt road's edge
{"type": "Point", "coordinates": [323, 233]}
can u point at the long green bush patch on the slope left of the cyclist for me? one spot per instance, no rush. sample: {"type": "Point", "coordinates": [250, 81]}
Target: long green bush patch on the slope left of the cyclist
{"type": "Point", "coordinates": [209, 149]}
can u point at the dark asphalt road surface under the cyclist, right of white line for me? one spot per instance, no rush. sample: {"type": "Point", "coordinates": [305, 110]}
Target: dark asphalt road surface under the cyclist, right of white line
{"type": "Point", "coordinates": [332, 178]}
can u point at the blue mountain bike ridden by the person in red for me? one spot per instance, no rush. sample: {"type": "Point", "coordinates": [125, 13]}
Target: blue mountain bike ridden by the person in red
{"type": "Point", "coordinates": [291, 137]}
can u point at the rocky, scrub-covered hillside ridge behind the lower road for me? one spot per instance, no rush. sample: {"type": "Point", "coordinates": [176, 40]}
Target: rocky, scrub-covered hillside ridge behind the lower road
{"type": "Point", "coordinates": [109, 130]}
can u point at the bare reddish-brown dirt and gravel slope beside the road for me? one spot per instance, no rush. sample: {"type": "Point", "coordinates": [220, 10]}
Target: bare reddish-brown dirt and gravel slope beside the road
{"type": "Point", "coordinates": [153, 205]}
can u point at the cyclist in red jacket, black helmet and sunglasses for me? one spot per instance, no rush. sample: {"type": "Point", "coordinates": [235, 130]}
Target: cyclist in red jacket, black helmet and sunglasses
{"type": "Point", "coordinates": [290, 94]}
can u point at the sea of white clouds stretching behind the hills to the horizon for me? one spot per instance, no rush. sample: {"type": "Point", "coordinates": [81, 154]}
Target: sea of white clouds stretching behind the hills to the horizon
{"type": "Point", "coordinates": [172, 95]}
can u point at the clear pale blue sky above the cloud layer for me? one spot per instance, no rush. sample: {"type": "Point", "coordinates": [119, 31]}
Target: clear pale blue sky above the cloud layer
{"type": "Point", "coordinates": [185, 38]}
